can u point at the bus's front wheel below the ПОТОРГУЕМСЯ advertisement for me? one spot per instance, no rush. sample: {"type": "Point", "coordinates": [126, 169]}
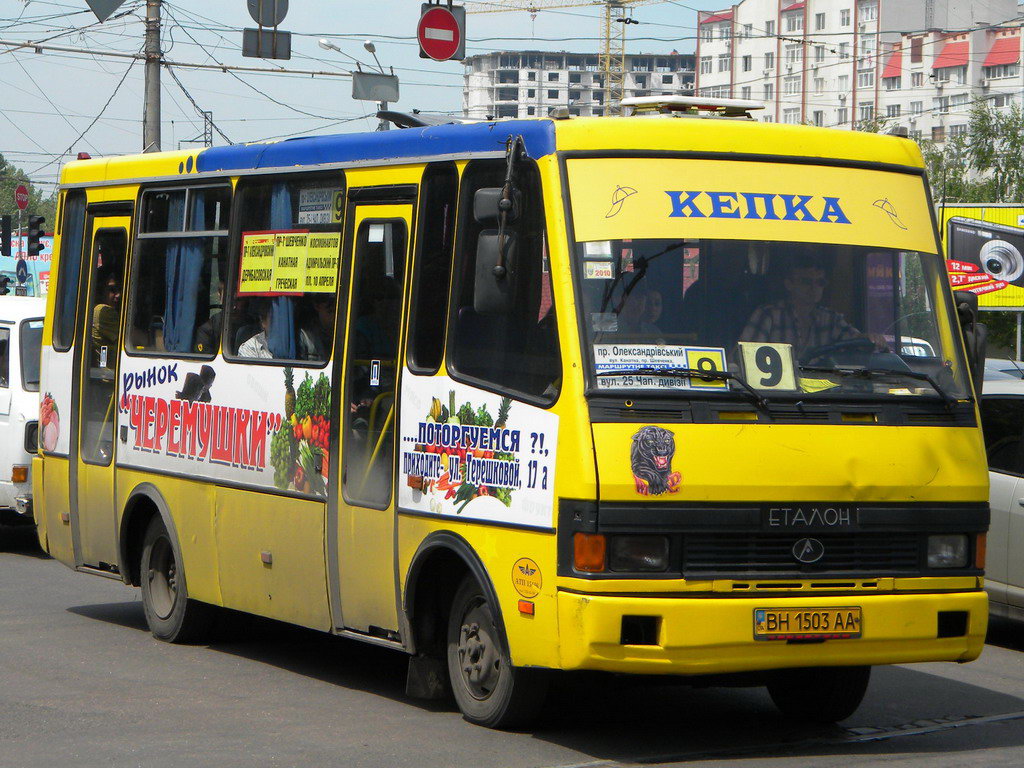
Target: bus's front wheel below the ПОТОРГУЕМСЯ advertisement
{"type": "Point", "coordinates": [488, 689]}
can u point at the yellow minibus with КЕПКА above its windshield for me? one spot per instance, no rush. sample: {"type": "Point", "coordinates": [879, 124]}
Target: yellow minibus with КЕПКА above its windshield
{"type": "Point", "coordinates": [517, 398]}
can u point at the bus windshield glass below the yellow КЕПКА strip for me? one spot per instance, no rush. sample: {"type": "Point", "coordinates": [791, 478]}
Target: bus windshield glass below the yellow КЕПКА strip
{"type": "Point", "coordinates": [783, 318]}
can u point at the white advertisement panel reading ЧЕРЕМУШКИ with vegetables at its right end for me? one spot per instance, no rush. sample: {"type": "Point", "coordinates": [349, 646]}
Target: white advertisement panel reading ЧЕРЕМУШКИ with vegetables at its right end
{"type": "Point", "coordinates": [257, 425]}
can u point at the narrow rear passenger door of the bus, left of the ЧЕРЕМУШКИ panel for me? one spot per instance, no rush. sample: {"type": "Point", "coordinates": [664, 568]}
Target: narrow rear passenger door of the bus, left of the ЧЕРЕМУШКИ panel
{"type": "Point", "coordinates": [94, 517]}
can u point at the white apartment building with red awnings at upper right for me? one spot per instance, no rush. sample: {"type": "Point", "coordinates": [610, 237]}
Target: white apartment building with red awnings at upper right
{"type": "Point", "coordinates": [847, 64]}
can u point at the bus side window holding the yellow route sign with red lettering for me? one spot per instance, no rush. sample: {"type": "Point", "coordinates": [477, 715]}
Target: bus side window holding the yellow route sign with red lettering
{"type": "Point", "coordinates": [284, 303]}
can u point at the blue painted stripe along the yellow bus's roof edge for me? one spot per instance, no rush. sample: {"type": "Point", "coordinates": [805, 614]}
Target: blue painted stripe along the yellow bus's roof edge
{"type": "Point", "coordinates": [395, 145]}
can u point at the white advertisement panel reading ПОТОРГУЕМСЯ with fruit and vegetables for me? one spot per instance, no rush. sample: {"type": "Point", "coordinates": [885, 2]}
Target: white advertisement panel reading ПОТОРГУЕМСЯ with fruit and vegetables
{"type": "Point", "coordinates": [471, 454]}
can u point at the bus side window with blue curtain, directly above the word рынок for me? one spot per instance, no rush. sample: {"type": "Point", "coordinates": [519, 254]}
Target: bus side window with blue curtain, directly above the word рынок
{"type": "Point", "coordinates": [180, 270]}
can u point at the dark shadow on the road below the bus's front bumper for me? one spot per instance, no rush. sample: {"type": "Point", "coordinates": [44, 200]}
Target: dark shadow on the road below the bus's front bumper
{"type": "Point", "coordinates": [629, 721]}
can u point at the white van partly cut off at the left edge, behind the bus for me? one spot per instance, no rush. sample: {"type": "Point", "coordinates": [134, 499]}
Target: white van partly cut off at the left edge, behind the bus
{"type": "Point", "coordinates": [21, 337]}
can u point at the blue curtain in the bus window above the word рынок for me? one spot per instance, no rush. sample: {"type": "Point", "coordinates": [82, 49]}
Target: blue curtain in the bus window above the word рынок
{"type": "Point", "coordinates": [185, 267]}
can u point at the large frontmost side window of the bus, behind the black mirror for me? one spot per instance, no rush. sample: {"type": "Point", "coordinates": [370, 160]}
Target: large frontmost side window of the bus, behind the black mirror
{"type": "Point", "coordinates": [518, 351]}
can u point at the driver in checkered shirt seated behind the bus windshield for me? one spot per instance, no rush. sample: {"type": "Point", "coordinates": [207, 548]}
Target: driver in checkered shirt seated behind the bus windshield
{"type": "Point", "coordinates": [800, 320]}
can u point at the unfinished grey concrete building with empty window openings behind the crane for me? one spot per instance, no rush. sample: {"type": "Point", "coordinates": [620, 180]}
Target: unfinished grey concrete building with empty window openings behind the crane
{"type": "Point", "coordinates": [521, 84]}
